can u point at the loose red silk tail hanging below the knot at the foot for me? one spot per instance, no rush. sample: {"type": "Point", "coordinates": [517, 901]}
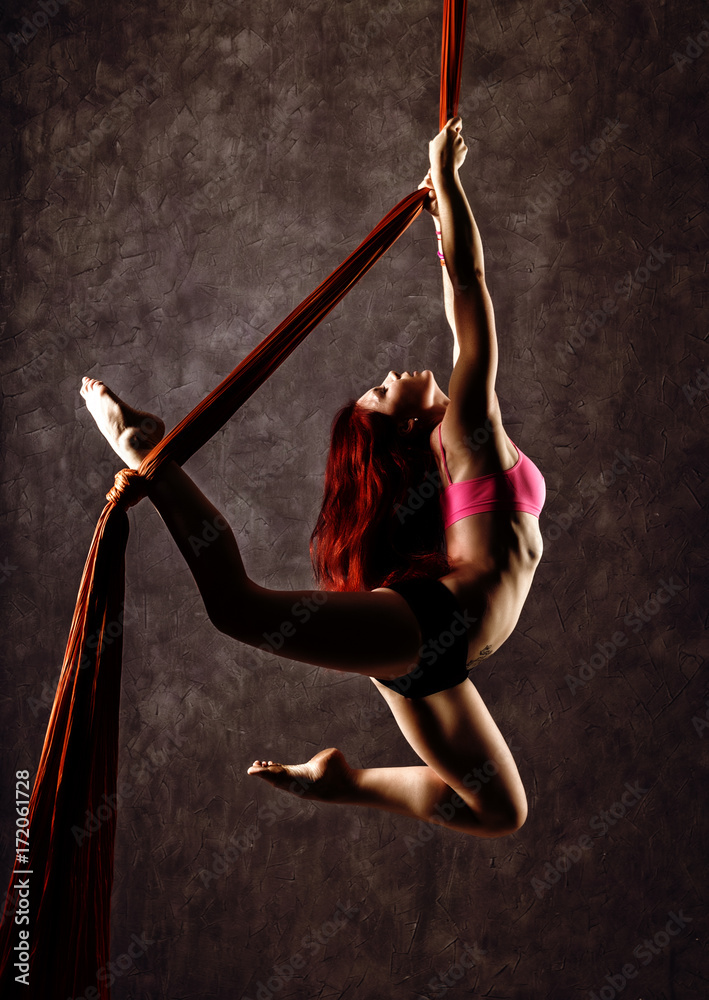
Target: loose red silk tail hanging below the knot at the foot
{"type": "Point", "coordinates": [60, 891]}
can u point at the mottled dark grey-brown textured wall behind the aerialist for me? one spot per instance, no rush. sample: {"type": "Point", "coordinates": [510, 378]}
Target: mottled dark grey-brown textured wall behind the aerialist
{"type": "Point", "coordinates": [178, 178]}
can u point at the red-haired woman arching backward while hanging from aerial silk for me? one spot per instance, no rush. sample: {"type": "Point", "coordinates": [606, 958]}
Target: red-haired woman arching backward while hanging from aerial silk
{"type": "Point", "coordinates": [395, 608]}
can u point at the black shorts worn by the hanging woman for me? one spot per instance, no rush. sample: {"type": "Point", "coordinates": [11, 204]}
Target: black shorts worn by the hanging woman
{"type": "Point", "coordinates": [443, 653]}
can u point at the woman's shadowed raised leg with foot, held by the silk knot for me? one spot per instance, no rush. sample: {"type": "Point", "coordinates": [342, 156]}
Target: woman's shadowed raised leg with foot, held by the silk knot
{"type": "Point", "coordinates": [375, 634]}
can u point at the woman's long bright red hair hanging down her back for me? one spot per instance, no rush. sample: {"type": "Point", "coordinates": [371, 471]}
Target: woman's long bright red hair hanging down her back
{"type": "Point", "coordinates": [380, 520]}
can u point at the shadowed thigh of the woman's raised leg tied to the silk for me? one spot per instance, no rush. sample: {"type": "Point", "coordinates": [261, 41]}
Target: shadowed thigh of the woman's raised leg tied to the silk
{"type": "Point", "coordinates": [373, 633]}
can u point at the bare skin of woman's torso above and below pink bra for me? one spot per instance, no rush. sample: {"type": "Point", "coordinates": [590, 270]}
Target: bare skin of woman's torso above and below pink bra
{"type": "Point", "coordinates": [493, 554]}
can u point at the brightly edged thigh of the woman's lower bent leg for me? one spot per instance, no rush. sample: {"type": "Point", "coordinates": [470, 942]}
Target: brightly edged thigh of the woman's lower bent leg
{"type": "Point", "coordinates": [454, 733]}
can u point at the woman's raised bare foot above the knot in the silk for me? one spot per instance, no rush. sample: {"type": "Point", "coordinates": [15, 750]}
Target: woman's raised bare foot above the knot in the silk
{"type": "Point", "coordinates": [131, 433]}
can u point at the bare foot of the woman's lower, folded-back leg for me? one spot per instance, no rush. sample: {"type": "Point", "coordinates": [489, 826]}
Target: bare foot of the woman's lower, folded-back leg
{"type": "Point", "coordinates": [327, 776]}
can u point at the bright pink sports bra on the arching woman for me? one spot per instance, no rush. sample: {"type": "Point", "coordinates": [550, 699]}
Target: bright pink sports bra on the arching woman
{"type": "Point", "coordinates": [520, 488]}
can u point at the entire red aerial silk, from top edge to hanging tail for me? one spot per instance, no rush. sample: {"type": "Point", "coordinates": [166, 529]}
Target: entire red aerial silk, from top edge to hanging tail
{"type": "Point", "coordinates": [55, 934]}
